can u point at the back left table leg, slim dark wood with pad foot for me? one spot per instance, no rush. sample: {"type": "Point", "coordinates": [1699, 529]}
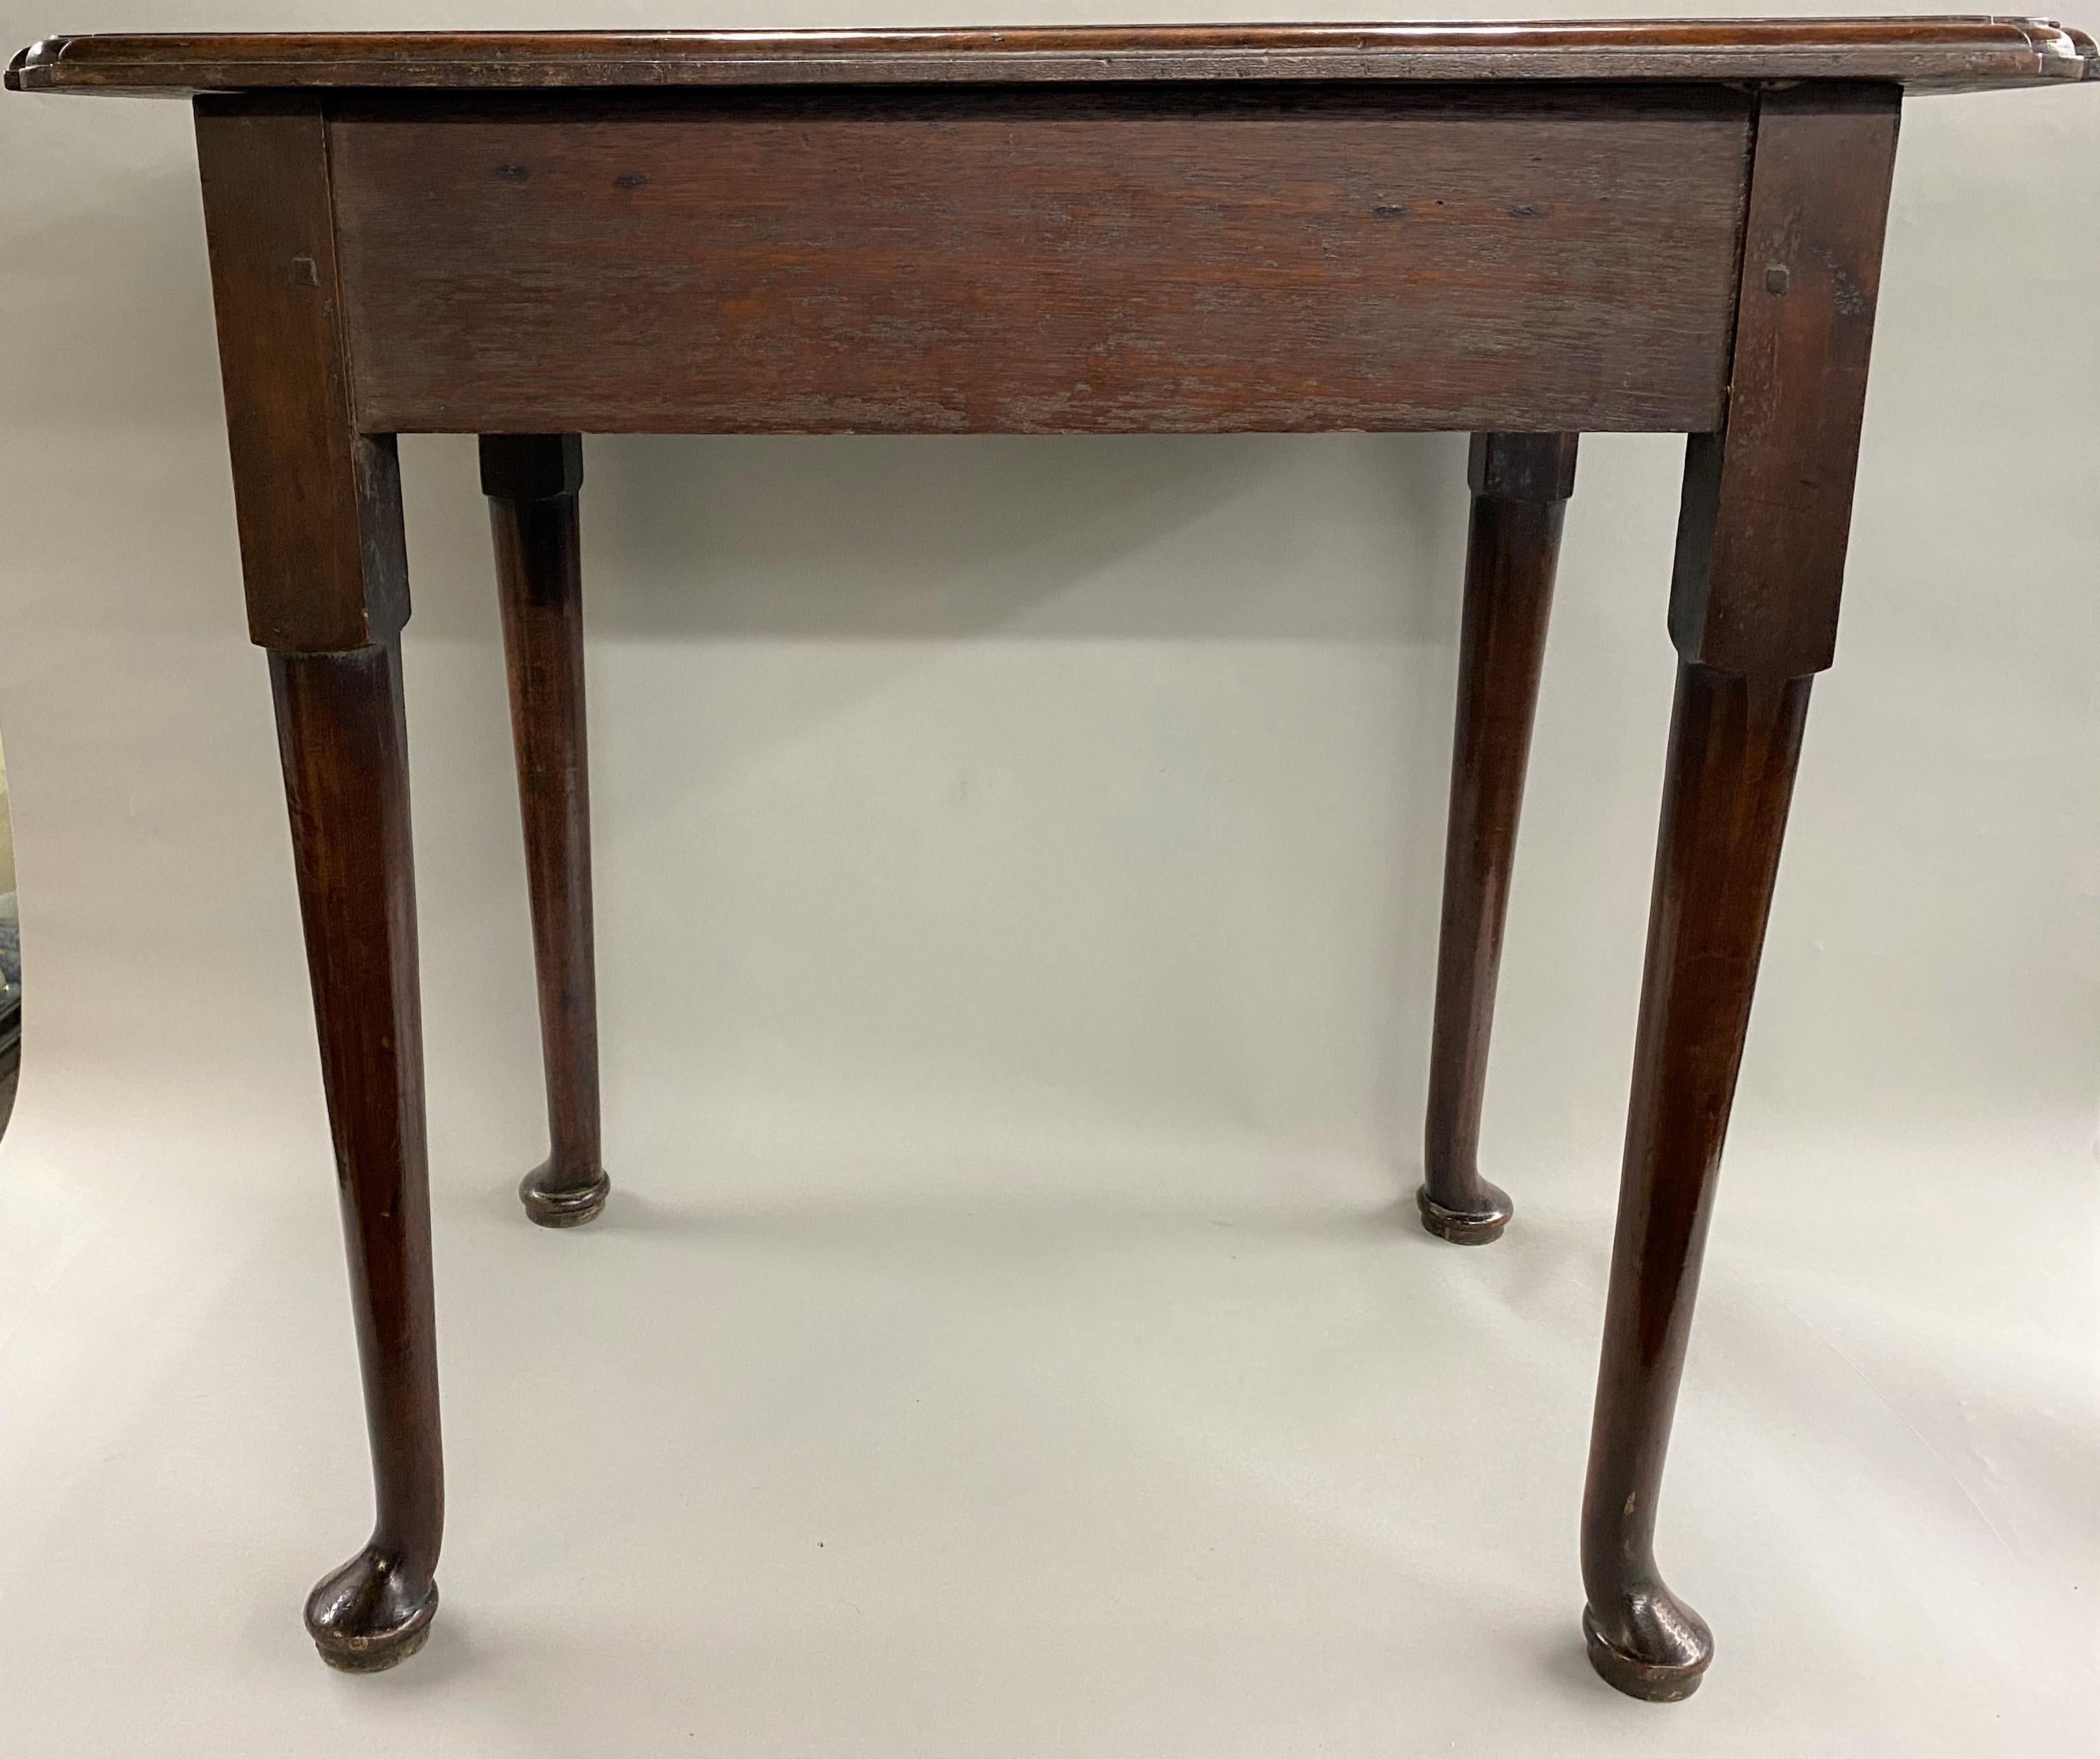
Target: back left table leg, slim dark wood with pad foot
{"type": "Point", "coordinates": [532, 484]}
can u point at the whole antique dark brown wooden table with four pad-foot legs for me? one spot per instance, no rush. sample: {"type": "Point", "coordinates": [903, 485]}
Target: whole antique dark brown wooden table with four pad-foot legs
{"type": "Point", "coordinates": [1517, 232]}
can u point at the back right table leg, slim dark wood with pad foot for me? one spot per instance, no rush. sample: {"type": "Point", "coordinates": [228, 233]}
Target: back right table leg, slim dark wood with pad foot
{"type": "Point", "coordinates": [1521, 488]}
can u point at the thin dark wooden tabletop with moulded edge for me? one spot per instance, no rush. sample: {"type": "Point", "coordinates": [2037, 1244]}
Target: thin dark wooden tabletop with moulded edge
{"type": "Point", "coordinates": [1935, 54]}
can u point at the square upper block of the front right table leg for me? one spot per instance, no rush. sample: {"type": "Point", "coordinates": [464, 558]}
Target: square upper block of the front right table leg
{"type": "Point", "coordinates": [1769, 499]}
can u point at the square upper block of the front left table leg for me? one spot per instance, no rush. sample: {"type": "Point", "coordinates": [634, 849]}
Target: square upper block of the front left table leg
{"type": "Point", "coordinates": [318, 503]}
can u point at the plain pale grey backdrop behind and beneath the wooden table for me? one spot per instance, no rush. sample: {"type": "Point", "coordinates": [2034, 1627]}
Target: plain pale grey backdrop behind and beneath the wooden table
{"type": "Point", "coordinates": [1017, 889]}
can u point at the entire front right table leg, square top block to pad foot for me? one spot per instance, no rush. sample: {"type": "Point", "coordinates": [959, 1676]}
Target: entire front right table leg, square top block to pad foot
{"type": "Point", "coordinates": [1755, 612]}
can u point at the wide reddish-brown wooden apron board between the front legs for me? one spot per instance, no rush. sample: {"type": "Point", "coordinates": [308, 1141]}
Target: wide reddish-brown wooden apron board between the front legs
{"type": "Point", "coordinates": [1045, 261]}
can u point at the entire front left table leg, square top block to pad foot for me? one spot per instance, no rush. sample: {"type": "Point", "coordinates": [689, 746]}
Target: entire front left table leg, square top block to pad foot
{"type": "Point", "coordinates": [327, 576]}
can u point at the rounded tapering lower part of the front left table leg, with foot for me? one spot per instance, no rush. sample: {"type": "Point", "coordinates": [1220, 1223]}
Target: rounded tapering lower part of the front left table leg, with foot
{"type": "Point", "coordinates": [345, 776]}
